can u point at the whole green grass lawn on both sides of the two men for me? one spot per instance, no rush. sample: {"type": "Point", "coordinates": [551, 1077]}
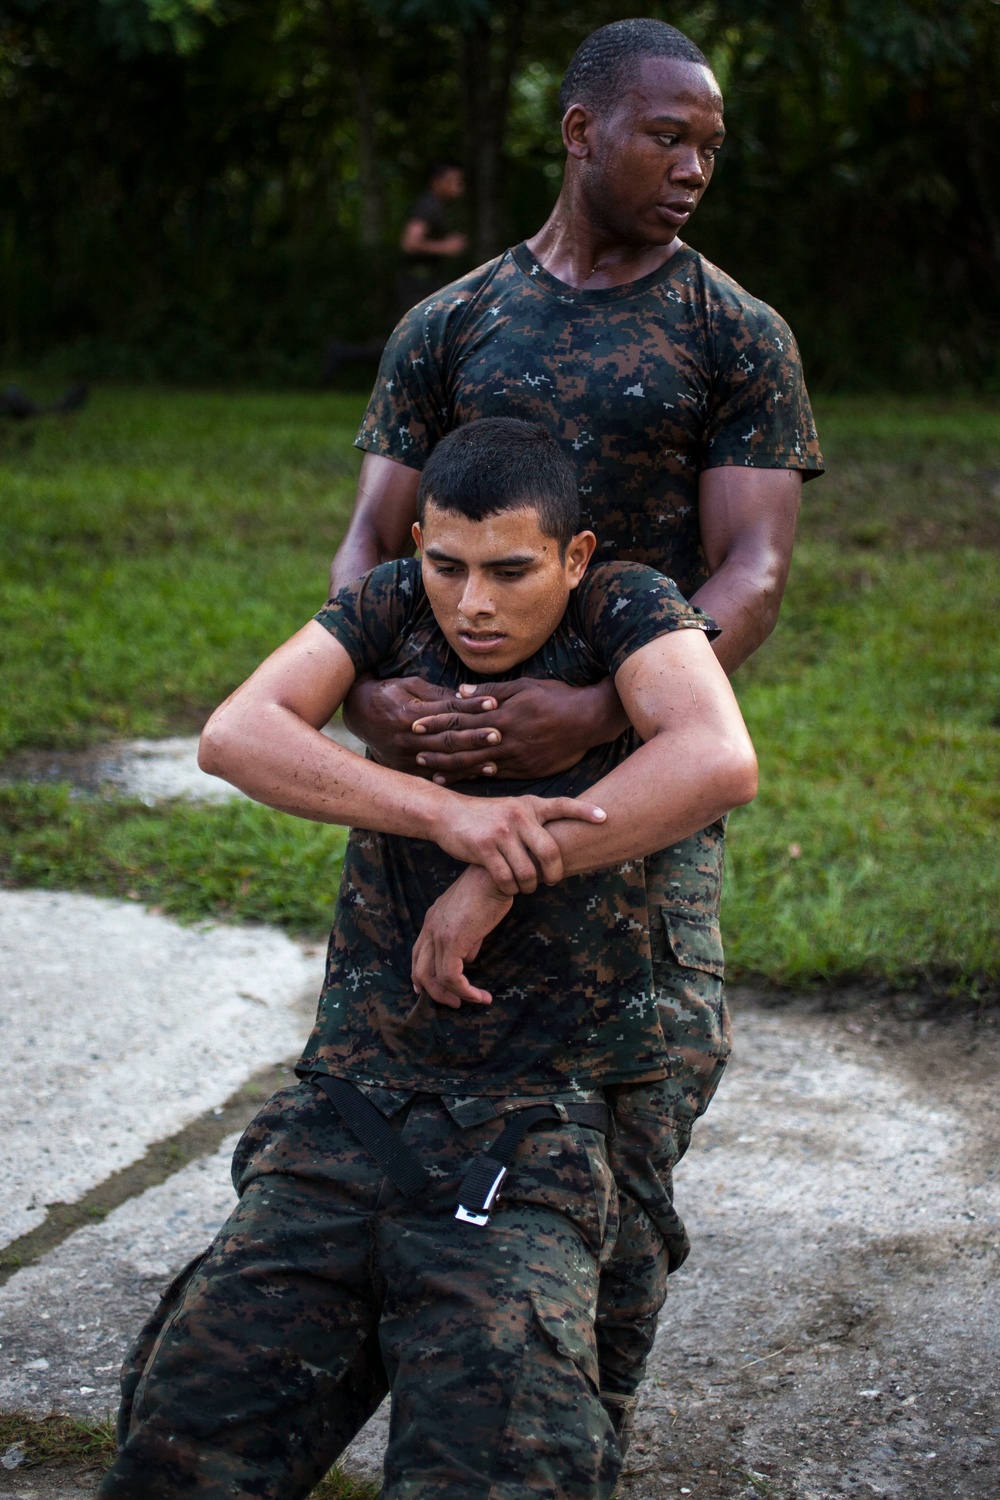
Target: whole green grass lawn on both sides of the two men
{"type": "Point", "coordinates": [157, 547]}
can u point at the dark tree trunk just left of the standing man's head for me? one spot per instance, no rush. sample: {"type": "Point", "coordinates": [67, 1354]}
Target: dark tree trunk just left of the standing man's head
{"type": "Point", "coordinates": [490, 56]}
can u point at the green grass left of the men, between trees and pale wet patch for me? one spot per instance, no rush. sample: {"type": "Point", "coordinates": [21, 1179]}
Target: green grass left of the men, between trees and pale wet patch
{"type": "Point", "coordinates": [155, 548]}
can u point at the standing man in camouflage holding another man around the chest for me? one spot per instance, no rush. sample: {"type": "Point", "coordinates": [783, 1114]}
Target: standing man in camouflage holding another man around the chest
{"type": "Point", "coordinates": [681, 404]}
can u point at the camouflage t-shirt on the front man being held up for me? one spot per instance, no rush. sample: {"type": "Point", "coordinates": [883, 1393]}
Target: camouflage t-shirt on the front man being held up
{"type": "Point", "coordinates": [569, 968]}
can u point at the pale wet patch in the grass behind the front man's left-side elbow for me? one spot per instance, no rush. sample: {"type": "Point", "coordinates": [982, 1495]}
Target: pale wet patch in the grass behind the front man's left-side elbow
{"type": "Point", "coordinates": [152, 770]}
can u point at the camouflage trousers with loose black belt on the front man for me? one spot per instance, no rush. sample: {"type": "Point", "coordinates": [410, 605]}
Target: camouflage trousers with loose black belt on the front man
{"type": "Point", "coordinates": [238, 1385]}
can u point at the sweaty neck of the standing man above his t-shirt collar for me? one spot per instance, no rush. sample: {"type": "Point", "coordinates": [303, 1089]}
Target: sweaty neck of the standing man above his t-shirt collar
{"type": "Point", "coordinates": [587, 256]}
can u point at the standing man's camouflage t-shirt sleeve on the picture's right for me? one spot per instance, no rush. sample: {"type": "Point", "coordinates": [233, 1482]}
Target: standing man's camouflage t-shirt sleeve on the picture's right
{"type": "Point", "coordinates": [759, 413]}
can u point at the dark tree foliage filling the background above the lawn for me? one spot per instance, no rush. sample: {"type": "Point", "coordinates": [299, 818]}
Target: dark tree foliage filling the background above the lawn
{"type": "Point", "coordinates": [208, 188]}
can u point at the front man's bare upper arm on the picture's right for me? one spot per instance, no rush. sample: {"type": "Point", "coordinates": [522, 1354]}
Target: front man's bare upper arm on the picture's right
{"type": "Point", "coordinates": [675, 685]}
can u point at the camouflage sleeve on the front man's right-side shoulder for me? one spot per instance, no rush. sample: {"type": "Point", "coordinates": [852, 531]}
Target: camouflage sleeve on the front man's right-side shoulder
{"type": "Point", "coordinates": [627, 605]}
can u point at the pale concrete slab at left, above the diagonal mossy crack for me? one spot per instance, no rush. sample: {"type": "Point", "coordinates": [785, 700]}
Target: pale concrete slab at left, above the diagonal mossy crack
{"type": "Point", "coordinates": [119, 1027]}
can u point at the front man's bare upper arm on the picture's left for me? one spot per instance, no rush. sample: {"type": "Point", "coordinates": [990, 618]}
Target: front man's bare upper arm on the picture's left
{"type": "Point", "coordinates": [310, 676]}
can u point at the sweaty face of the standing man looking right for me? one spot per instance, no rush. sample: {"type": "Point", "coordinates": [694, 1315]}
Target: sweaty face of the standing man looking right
{"type": "Point", "coordinates": [653, 158]}
